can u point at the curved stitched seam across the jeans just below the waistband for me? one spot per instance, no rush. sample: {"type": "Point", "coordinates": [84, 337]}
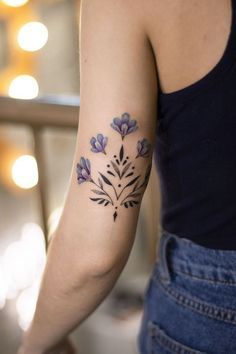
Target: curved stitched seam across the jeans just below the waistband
{"type": "Point", "coordinates": [199, 305]}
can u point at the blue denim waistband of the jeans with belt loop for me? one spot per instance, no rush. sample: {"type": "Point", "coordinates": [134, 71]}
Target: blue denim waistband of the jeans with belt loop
{"type": "Point", "coordinates": [181, 255]}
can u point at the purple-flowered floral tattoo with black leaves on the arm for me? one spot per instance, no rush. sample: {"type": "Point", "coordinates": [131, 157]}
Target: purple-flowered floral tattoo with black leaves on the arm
{"type": "Point", "coordinates": [120, 186]}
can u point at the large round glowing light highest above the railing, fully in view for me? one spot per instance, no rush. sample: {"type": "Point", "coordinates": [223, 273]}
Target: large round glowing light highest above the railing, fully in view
{"type": "Point", "coordinates": [32, 36]}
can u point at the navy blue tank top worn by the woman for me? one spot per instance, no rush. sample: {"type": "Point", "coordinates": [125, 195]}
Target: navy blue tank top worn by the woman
{"type": "Point", "coordinates": [195, 154]}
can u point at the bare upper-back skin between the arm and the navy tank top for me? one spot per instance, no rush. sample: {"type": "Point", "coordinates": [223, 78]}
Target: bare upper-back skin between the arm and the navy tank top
{"type": "Point", "coordinates": [188, 38]}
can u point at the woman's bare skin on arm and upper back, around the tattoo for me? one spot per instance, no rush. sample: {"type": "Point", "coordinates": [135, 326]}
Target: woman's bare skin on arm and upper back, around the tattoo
{"type": "Point", "coordinates": [118, 73]}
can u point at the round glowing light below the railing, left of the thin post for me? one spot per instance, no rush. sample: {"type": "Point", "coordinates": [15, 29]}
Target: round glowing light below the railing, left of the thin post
{"type": "Point", "coordinates": [25, 172]}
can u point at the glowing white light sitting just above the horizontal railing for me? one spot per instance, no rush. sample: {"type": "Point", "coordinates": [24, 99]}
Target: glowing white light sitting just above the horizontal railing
{"type": "Point", "coordinates": [24, 87]}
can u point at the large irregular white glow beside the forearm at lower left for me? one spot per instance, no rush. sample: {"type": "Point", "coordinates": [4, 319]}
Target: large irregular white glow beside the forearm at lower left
{"type": "Point", "coordinates": [21, 270]}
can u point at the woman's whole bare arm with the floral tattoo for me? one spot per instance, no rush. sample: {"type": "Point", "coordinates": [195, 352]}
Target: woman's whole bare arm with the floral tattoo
{"type": "Point", "coordinates": [118, 92]}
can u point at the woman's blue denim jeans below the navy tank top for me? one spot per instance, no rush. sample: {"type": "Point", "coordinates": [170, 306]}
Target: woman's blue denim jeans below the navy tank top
{"type": "Point", "coordinates": [190, 300]}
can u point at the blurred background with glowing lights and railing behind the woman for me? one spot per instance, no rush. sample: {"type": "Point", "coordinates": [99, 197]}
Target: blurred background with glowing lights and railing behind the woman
{"type": "Point", "coordinates": [39, 100]}
